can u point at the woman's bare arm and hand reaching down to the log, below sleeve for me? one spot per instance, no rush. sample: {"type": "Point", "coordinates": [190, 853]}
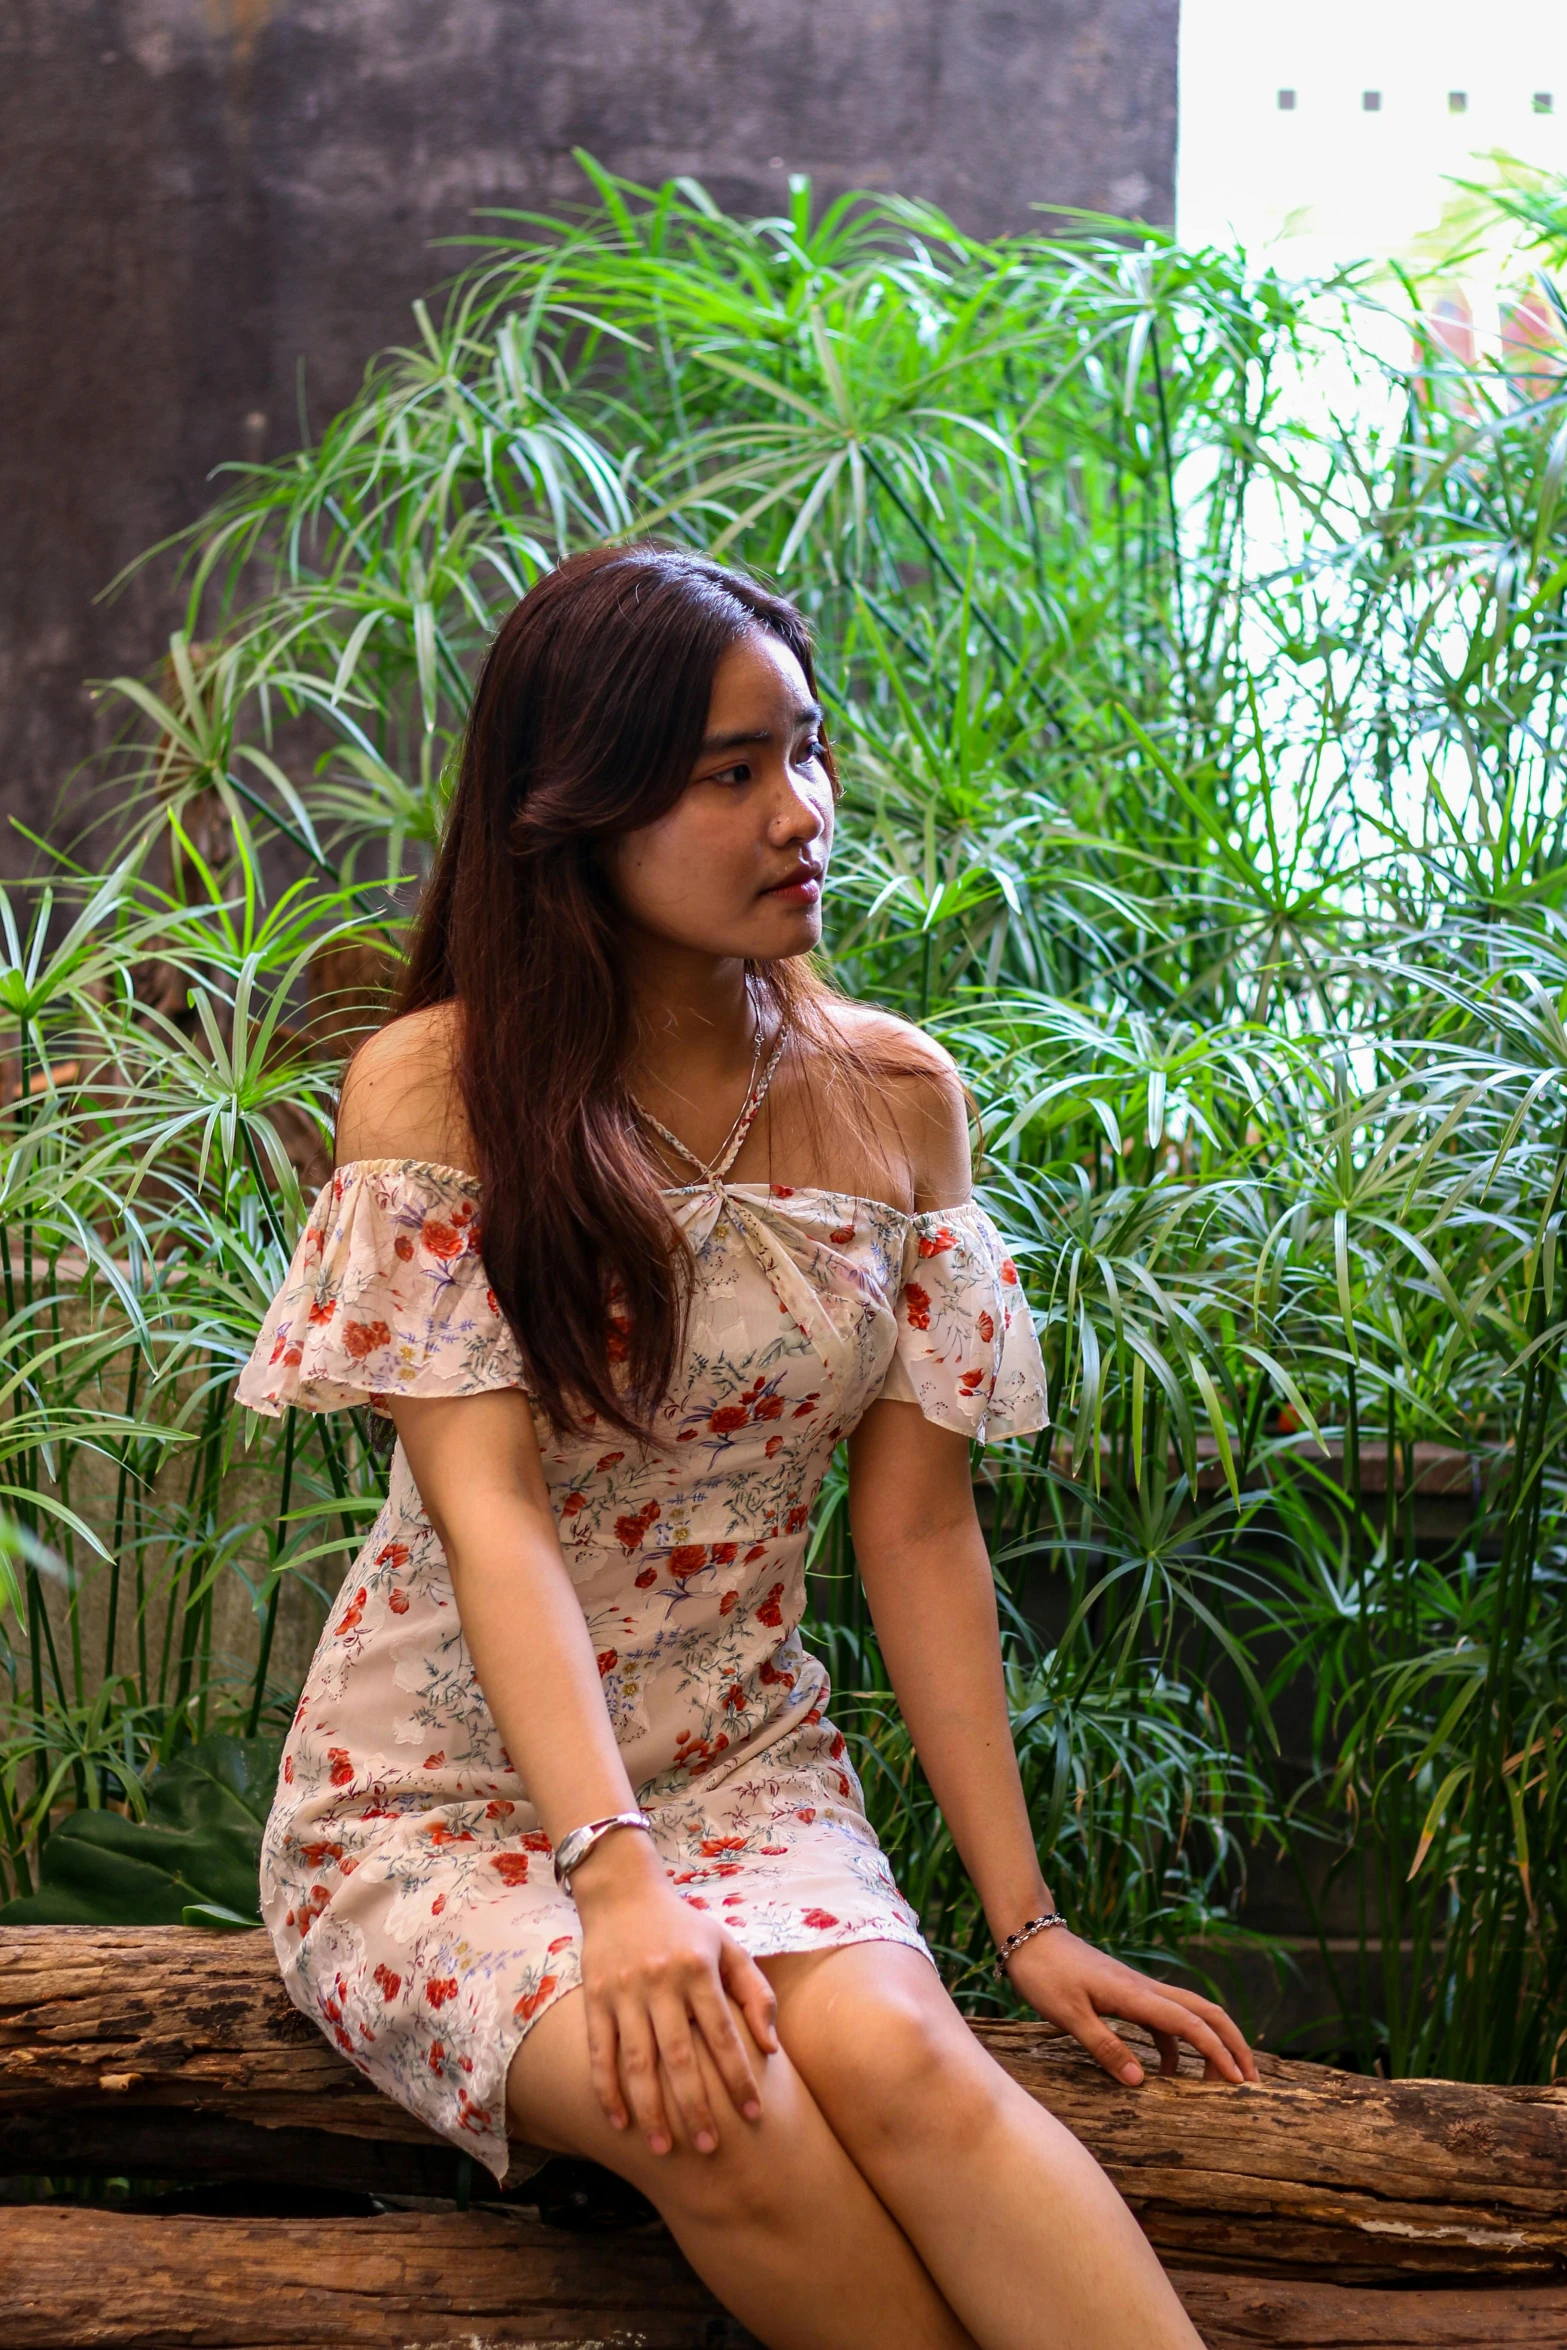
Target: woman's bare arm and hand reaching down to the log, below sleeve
{"type": "Point", "coordinates": [929, 1585]}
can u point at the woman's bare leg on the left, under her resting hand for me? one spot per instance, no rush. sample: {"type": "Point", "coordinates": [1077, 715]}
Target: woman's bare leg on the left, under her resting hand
{"type": "Point", "coordinates": [776, 2222]}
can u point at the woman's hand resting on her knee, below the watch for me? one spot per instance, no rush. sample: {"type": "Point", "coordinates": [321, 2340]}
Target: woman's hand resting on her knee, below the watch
{"type": "Point", "coordinates": [659, 1975]}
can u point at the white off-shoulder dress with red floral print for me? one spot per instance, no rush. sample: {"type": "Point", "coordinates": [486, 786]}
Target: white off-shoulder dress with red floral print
{"type": "Point", "coordinates": [405, 1876]}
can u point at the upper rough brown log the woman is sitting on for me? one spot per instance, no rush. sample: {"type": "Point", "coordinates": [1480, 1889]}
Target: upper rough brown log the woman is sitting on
{"type": "Point", "coordinates": [1312, 2173]}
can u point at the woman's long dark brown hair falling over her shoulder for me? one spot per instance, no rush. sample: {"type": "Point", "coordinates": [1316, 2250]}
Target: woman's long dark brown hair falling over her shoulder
{"type": "Point", "coordinates": [586, 723]}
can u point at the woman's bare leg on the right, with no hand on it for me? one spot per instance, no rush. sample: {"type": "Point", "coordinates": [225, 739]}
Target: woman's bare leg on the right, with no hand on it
{"type": "Point", "coordinates": [1016, 2222]}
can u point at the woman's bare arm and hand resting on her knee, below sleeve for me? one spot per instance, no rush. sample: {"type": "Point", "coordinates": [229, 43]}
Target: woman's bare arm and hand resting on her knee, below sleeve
{"type": "Point", "coordinates": [654, 1970]}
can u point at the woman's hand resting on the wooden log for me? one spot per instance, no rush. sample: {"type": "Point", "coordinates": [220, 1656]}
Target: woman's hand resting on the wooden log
{"type": "Point", "coordinates": [1075, 1987]}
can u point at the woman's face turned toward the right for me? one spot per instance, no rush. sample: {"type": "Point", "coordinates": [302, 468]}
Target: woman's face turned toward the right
{"type": "Point", "coordinates": [737, 866]}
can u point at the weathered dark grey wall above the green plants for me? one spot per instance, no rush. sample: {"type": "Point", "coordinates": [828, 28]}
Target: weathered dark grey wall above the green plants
{"type": "Point", "coordinates": [199, 196]}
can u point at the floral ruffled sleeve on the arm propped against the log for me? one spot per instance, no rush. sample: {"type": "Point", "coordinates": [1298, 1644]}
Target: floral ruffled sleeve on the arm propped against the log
{"type": "Point", "coordinates": [967, 1348]}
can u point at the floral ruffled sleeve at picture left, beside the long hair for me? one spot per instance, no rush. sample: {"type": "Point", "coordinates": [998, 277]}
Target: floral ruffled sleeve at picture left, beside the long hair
{"type": "Point", "coordinates": [386, 1296]}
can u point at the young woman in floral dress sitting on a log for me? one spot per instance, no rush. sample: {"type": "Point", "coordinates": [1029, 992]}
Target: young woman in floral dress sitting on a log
{"type": "Point", "coordinates": [633, 1223]}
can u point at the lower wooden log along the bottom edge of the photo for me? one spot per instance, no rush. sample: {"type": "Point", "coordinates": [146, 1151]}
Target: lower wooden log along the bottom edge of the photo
{"type": "Point", "coordinates": [480, 2281]}
